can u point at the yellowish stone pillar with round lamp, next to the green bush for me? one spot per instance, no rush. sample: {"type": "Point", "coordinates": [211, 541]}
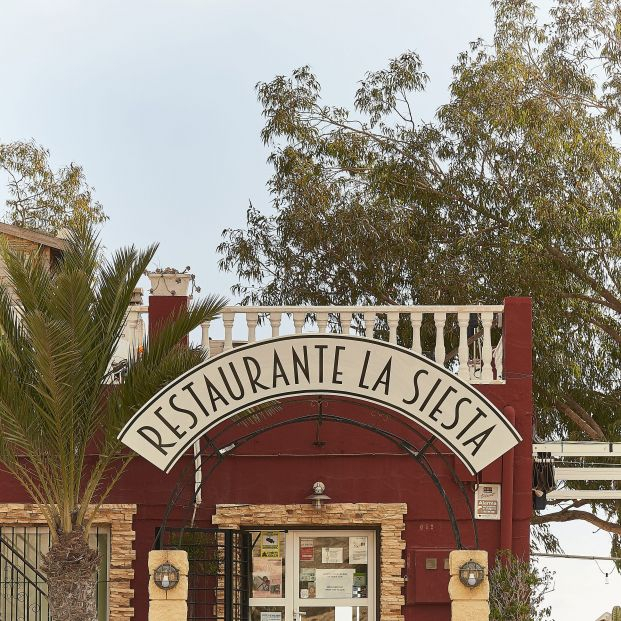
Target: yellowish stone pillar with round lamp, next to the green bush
{"type": "Point", "coordinates": [468, 604]}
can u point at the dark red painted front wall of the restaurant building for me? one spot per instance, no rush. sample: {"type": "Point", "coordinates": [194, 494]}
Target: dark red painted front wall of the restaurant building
{"type": "Point", "coordinates": [357, 466]}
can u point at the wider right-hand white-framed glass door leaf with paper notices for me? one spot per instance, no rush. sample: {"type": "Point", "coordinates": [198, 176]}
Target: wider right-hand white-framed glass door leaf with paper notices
{"type": "Point", "coordinates": [334, 576]}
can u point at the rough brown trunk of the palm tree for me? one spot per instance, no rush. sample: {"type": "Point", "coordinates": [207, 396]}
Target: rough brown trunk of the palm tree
{"type": "Point", "coordinates": [70, 566]}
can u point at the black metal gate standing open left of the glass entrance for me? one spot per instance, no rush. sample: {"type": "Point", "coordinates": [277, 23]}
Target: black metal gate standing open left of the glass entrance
{"type": "Point", "coordinates": [218, 580]}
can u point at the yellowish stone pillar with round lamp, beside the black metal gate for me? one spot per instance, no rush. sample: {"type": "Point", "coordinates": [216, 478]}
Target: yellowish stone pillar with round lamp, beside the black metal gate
{"type": "Point", "coordinates": [171, 604]}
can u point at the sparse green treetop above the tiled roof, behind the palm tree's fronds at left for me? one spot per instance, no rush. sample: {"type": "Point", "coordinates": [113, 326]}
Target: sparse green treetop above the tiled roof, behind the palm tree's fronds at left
{"type": "Point", "coordinates": [41, 198]}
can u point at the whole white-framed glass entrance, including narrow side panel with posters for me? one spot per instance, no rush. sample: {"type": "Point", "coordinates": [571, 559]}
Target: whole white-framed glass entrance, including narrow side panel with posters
{"type": "Point", "coordinates": [319, 575]}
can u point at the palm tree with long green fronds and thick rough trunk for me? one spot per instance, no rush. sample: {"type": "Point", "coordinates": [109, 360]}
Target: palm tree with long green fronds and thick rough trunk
{"type": "Point", "coordinates": [56, 403]}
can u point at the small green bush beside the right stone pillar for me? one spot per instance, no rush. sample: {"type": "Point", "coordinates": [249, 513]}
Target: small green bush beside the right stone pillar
{"type": "Point", "coordinates": [517, 590]}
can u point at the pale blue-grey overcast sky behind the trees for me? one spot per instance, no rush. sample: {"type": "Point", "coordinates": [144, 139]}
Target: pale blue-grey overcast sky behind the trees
{"type": "Point", "coordinates": [155, 99]}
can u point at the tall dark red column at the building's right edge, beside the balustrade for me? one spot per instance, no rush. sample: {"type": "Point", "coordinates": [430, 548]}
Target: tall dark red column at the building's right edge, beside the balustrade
{"type": "Point", "coordinates": [518, 367]}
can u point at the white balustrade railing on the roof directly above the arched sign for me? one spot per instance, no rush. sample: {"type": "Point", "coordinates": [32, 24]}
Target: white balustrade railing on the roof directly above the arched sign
{"type": "Point", "coordinates": [474, 358]}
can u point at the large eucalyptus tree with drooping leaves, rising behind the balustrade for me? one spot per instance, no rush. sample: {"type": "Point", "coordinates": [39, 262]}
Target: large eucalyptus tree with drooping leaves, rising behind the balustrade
{"type": "Point", "coordinates": [511, 189]}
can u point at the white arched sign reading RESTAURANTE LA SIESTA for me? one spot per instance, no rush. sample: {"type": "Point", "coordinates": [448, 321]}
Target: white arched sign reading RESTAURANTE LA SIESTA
{"type": "Point", "coordinates": [374, 371]}
